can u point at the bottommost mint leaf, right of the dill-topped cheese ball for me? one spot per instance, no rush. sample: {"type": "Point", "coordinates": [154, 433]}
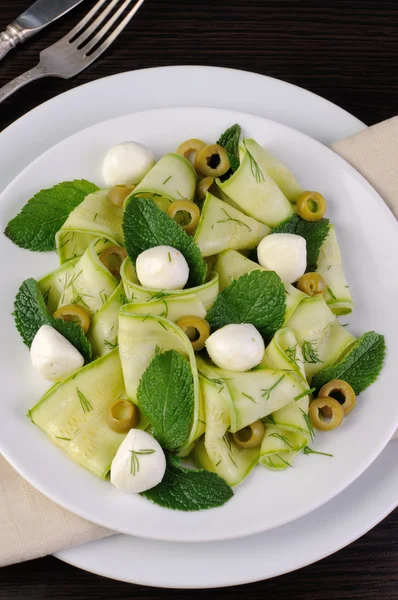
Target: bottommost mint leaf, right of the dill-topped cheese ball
{"type": "Point", "coordinates": [188, 489]}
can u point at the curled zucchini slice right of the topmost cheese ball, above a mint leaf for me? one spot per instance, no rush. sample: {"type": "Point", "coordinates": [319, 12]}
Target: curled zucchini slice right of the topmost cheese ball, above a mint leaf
{"type": "Point", "coordinates": [172, 178]}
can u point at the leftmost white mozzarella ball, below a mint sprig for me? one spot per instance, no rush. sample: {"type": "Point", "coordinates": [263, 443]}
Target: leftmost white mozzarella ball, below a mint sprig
{"type": "Point", "coordinates": [53, 356]}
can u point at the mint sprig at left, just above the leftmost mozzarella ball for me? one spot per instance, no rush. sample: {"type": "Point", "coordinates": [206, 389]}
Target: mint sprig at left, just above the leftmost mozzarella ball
{"type": "Point", "coordinates": [30, 313]}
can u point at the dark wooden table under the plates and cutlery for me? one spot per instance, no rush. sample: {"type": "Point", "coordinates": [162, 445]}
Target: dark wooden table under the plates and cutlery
{"type": "Point", "coordinates": [344, 50]}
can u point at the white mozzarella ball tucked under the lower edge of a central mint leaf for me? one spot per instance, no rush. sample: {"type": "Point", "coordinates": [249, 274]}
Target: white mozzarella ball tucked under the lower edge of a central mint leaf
{"type": "Point", "coordinates": [236, 347]}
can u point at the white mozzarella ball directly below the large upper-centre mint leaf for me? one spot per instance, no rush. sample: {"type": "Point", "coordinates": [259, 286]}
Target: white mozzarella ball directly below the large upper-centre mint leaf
{"type": "Point", "coordinates": [162, 268]}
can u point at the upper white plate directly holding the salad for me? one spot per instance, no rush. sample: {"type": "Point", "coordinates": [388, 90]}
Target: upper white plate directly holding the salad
{"type": "Point", "coordinates": [355, 208]}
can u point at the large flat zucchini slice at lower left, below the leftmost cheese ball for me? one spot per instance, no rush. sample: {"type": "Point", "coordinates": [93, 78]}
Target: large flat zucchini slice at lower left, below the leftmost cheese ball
{"type": "Point", "coordinates": [73, 413]}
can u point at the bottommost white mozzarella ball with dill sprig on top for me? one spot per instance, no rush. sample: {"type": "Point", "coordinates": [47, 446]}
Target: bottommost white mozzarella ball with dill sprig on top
{"type": "Point", "coordinates": [139, 464]}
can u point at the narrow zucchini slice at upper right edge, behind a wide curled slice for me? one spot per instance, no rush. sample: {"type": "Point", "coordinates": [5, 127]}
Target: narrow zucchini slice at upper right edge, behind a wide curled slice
{"type": "Point", "coordinates": [274, 168]}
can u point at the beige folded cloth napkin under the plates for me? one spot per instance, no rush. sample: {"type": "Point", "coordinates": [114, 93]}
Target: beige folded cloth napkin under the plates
{"type": "Point", "coordinates": [33, 526]}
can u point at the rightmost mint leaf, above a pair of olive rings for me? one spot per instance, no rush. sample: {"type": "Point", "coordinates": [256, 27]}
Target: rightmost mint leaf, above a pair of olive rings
{"type": "Point", "coordinates": [360, 367]}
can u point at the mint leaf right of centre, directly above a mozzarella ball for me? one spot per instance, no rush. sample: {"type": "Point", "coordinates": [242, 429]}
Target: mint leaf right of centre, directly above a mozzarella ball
{"type": "Point", "coordinates": [257, 298]}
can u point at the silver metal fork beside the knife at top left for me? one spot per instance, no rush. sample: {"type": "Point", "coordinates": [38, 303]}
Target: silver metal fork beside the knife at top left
{"type": "Point", "coordinates": [79, 48]}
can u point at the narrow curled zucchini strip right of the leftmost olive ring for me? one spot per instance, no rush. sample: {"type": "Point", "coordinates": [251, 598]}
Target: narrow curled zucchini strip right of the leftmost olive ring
{"type": "Point", "coordinates": [103, 332]}
